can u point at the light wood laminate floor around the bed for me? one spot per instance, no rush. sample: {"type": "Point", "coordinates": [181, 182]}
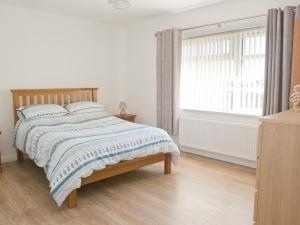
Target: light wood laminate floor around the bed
{"type": "Point", "coordinates": [200, 191]}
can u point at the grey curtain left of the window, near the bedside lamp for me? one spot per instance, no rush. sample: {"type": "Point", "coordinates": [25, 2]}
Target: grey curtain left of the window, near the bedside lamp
{"type": "Point", "coordinates": [168, 60]}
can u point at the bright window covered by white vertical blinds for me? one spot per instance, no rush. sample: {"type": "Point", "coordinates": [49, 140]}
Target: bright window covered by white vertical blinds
{"type": "Point", "coordinates": [224, 72]}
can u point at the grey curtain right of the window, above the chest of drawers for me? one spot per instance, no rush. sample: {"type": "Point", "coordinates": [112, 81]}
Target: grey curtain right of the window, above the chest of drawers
{"type": "Point", "coordinates": [279, 54]}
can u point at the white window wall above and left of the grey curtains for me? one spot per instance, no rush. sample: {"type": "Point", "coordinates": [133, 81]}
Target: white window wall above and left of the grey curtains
{"type": "Point", "coordinates": [140, 77]}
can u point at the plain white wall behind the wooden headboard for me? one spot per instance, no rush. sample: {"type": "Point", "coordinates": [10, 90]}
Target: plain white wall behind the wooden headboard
{"type": "Point", "coordinates": [41, 50]}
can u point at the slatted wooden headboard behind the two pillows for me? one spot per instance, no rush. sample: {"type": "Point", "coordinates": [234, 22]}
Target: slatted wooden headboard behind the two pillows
{"type": "Point", "coordinates": [24, 97]}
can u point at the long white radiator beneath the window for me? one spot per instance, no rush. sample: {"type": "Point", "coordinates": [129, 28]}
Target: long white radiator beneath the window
{"type": "Point", "coordinates": [233, 137]}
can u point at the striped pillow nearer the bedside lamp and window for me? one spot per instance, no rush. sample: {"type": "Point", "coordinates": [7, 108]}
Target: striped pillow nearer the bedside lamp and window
{"type": "Point", "coordinates": [85, 107]}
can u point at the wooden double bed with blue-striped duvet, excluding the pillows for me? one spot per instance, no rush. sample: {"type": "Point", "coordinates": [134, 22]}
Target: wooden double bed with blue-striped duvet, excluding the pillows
{"type": "Point", "coordinates": [76, 150]}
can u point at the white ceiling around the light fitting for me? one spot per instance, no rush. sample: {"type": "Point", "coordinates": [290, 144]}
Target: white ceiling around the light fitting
{"type": "Point", "coordinates": [99, 9]}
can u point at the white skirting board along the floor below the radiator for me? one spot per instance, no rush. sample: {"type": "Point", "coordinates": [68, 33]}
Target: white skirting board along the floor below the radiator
{"type": "Point", "coordinates": [225, 158]}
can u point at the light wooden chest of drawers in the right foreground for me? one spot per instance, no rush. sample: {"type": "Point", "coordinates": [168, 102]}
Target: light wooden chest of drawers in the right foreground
{"type": "Point", "coordinates": [277, 200]}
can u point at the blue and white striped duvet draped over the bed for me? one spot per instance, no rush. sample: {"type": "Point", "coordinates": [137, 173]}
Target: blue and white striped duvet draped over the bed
{"type": "Point", "coordinates": [71, 147]}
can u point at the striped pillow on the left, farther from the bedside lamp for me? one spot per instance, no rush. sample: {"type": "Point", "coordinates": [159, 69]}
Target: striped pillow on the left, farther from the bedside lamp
{"type": "Point", "coordinates": [37, 111]}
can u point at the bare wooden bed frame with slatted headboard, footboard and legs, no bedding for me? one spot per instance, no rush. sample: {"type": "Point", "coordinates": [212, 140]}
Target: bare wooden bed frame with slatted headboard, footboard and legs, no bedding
{"type": "Point", "coordinates": [23, 97]}
